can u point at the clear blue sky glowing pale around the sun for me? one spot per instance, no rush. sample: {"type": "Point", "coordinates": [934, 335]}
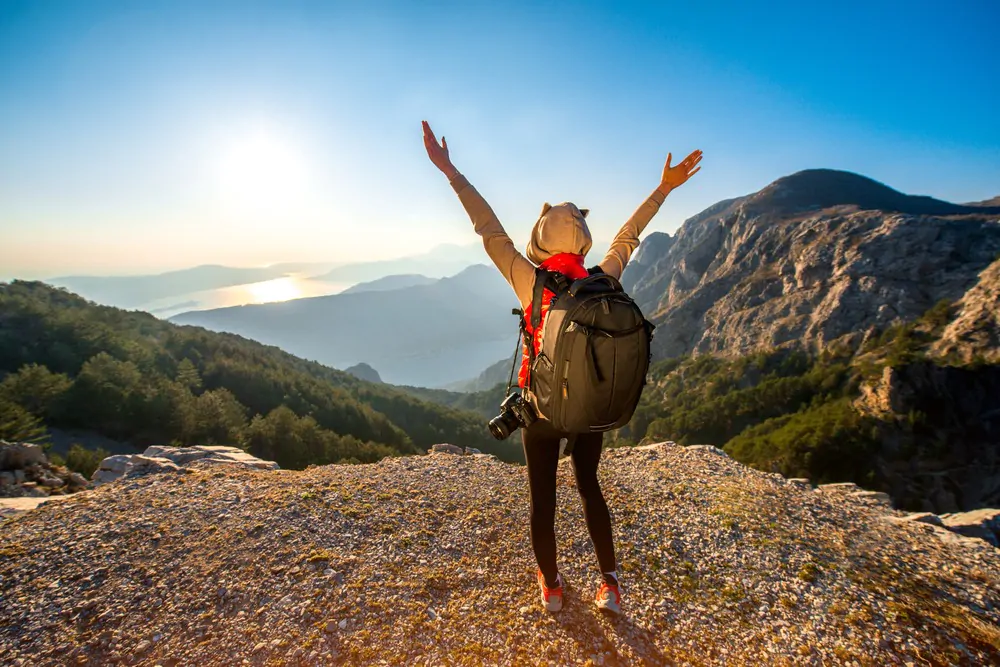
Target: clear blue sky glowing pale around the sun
{"type": "Point", "coordinates": [138, 137]}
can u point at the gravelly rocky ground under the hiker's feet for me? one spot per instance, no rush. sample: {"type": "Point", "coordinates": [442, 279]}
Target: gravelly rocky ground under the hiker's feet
{"type": "Point", "coordinates": [425, 560]}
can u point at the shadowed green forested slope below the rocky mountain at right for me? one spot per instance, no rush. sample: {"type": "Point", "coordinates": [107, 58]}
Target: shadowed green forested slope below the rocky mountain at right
{"type": "Point", "coordinates": [888, 416]}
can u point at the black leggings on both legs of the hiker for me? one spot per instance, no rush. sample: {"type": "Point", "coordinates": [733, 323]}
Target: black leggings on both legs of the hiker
{"type": "Point", "coordinates": [541, 451]}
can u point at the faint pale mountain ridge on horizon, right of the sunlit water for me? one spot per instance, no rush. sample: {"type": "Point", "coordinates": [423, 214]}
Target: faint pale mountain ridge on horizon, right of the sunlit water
{"type": "Point", "coordinates": [442, 260]}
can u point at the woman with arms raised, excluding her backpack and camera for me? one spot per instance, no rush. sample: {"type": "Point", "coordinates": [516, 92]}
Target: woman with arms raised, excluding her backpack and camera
{"type": "Point", "coordinates": [559, 242]}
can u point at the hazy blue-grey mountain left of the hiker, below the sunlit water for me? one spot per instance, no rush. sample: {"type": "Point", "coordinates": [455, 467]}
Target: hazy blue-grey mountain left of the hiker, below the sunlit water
{"type": "Point", "coordinates": [426, 335]}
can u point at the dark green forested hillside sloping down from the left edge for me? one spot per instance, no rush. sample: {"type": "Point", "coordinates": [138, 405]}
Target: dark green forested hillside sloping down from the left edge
{"type": "Point", "coordinates": [68, 363]}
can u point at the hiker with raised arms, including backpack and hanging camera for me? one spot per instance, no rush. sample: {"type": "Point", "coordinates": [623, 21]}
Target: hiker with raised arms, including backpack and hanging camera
{"type": "Point", "coordinates": [585, 356]}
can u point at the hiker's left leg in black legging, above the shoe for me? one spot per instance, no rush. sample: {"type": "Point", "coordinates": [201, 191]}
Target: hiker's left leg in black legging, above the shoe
{"type": "Point", "coordinates": [541, 451]}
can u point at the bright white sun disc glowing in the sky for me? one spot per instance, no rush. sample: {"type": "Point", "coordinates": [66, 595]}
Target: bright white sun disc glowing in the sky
{"type": "Point", "coordinates": [260, 172]}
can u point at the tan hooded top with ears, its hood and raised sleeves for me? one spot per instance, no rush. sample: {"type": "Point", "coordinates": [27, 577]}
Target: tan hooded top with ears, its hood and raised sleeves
{"type": "Point", "coordinates": [561, 228]}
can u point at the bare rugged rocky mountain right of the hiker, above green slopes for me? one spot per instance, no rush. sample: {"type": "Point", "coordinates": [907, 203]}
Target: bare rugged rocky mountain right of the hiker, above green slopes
{"type": "Point", "coordinates": [813, 258]}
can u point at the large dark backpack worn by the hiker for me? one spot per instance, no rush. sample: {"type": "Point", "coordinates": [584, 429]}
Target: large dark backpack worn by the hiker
{"type": "Point", "coordinates": [591, 367]}
